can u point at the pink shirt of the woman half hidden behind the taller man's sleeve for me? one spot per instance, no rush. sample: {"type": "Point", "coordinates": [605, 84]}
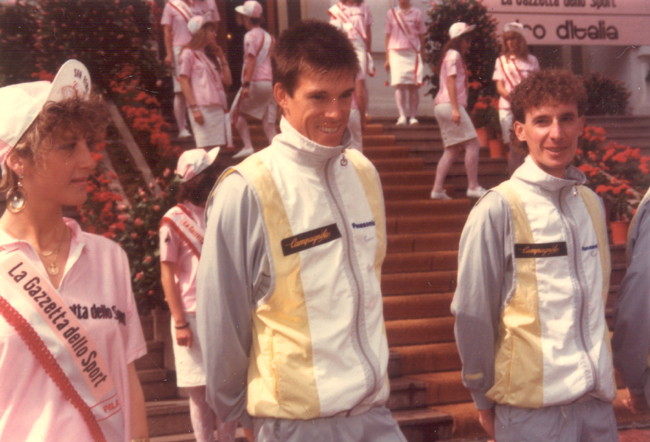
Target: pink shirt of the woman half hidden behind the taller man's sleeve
{"type": "Point", "coordinates": [174, 249]}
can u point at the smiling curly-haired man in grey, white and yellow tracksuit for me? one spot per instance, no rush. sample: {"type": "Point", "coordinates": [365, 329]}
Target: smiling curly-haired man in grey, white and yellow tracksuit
{"type": "Point", "coordinates": [532, 283]}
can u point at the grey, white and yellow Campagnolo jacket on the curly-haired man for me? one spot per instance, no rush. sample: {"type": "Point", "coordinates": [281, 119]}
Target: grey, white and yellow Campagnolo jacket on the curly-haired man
{"type": "Point", "coordinates": [532, 284]}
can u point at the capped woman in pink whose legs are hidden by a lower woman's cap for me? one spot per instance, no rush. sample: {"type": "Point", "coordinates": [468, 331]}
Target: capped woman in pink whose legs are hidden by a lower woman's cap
{"type": "Point", "coordinates": [203, 83]}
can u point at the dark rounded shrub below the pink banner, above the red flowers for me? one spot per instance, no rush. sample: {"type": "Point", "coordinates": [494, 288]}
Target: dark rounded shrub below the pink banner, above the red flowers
{"type": "Point", "coordinates": [606, 95]}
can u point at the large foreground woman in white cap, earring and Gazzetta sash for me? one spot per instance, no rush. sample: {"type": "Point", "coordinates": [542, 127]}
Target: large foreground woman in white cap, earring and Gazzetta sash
{"type": "Point", "coordinates": [69, 327]}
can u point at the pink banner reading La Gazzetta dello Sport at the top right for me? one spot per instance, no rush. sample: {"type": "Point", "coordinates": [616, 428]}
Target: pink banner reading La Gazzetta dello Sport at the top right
{"type": "Point", "coordinates": [577, 22]}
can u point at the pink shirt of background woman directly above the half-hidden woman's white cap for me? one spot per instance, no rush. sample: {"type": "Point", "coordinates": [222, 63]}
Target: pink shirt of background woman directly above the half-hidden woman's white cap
{"type": "Point", "coordinates": [204, 77]}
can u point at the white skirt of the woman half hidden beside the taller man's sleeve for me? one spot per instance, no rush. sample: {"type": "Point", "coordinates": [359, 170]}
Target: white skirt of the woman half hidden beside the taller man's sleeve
{"type": "Point", "coordinates": [190, 371]}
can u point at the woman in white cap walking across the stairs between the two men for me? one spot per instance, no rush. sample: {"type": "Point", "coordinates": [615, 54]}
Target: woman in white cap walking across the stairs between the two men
{"type": "Point", "coordinates": [455, 125]}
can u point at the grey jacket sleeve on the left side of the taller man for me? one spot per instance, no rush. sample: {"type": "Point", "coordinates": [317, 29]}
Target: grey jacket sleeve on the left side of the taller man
{"type": "Point", "coordinates": [233, 273]}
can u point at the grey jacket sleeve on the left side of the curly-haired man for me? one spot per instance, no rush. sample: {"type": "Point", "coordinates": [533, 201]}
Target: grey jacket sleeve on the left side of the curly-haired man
{"type": "Point", "coordinates": [485, 278]}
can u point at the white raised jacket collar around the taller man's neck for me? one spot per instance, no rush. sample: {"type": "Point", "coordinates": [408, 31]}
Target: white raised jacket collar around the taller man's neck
{"type": "Point", "coordinates": [301, 148]}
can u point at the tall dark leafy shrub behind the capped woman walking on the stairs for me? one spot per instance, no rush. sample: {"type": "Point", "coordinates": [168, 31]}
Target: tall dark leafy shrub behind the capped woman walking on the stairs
{"type": "Point", "coordinates": [483, 52]}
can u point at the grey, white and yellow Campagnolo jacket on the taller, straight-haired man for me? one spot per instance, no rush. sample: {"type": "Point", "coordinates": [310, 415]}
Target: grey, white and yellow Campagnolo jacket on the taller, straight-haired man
{"type": "Point", "coordinates": [289, 301]}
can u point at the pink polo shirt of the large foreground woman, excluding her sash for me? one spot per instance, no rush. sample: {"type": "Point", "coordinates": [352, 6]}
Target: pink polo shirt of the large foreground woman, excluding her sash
{"type": "Point", "coordinates": [96, 285]}
